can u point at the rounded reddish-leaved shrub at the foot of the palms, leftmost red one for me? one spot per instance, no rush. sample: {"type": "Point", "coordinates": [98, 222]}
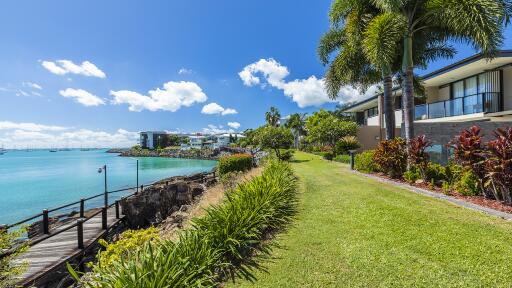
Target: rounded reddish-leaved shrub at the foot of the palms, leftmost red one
{"type": "Point", "coordinates": [391, 157]}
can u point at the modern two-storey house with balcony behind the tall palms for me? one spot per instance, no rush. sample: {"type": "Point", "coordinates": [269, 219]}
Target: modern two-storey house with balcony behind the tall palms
{"type": "Point", "coordinates": [475, 90]}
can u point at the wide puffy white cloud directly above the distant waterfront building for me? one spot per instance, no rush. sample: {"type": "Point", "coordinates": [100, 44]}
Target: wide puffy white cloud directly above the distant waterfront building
{"type": "Point", "coordinates": [172, 97]}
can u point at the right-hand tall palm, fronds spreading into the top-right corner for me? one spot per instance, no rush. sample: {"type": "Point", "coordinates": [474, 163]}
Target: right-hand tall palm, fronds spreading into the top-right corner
{"type": "Point", "coordinates": [478, 22]}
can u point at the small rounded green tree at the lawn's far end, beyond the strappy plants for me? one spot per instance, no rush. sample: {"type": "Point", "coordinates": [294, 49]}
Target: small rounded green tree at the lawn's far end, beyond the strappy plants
{"type": "Point", "coordinates": [275, 138]}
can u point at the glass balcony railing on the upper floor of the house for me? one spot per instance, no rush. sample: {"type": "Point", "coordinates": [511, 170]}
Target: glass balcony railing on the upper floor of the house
{"type": "Point", "coordinates": [483, 102]}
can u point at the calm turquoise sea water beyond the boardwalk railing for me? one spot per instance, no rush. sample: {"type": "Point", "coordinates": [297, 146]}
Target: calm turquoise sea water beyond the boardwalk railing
{"type": "Point", "coordinates": [31, 181]}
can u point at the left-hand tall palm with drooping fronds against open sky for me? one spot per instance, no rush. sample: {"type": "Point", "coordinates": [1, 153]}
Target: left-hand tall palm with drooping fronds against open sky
{"type": "Point", "coordinates": [367, 40]}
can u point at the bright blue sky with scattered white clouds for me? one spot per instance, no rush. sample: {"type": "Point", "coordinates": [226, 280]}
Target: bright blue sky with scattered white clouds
{"type": "Point", "coordinates": [119, 51]}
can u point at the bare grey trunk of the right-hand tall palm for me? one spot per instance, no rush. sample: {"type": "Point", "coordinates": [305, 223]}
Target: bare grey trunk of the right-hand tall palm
{"type": "Point", "coordinates": [408, 97]}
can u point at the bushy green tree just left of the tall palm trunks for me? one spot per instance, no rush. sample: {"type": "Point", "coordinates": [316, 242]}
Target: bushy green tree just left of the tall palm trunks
{"type": "Point", "coordinates": [326, 129]}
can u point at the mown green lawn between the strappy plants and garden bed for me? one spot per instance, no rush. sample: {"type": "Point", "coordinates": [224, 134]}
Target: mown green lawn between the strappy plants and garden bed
{"type": "Point", "coordinates": [356, 232]}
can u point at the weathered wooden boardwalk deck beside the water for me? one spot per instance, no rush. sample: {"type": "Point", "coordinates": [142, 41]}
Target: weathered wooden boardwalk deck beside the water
{"type": "Point", "coordinates": [57, 250]}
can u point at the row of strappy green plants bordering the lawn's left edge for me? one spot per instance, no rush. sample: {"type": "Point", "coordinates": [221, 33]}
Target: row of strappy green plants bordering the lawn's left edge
{"type": "Point", "coordinates": [220, 245]}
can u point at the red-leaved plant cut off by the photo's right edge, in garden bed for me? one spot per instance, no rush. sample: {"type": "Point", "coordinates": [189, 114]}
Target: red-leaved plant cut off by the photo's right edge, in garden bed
{"type": "Point", "coordinates": [499, 165]}
